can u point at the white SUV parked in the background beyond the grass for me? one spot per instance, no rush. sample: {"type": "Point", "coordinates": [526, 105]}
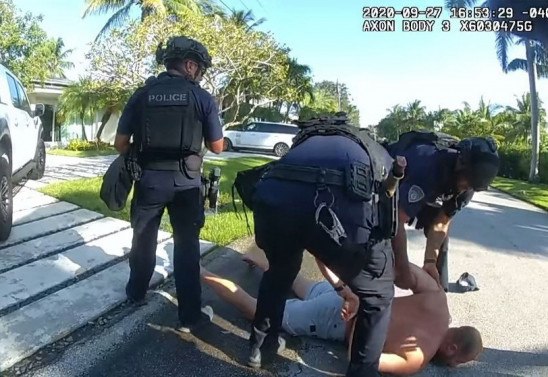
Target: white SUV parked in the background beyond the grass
{"type": "Point", "coordinates": [263, 136]}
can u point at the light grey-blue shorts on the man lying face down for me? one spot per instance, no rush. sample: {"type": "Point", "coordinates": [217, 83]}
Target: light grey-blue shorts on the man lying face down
{"type": "Point", "coordinates": [318, 315]}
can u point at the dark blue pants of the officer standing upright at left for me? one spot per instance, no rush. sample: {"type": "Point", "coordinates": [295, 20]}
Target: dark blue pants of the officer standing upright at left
{"type": "Point", "coordinates": [186, 212]}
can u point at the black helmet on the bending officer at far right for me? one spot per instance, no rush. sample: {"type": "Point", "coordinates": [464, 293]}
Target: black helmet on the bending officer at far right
{"type": "Point", "coordinates": [481, 161]}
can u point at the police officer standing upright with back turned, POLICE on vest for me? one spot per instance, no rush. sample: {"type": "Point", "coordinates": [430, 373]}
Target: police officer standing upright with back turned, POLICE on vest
{"type": "Point", "coordinates": [169, 118]}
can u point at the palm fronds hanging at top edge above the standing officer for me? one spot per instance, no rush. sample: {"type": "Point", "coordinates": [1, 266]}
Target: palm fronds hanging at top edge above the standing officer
{"type": "Point", "coordinates": [122, 8]}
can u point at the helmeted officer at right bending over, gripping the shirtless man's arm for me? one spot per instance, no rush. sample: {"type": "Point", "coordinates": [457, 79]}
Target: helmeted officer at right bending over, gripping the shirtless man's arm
{"type": "Point", "coordinates": [439, 182]}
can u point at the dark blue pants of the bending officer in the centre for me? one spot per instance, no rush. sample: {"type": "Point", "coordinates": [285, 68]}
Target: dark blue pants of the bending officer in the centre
{"type": "Point", "coordinates": [284, 237]}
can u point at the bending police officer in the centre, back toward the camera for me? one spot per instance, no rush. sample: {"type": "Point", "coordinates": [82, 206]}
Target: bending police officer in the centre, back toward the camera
{"type": "Point", "coordinates": [328, 195]}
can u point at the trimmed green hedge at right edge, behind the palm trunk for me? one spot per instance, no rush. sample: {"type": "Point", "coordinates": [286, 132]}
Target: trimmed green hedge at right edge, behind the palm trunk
{"type": "Point", "coordinates": [515, 161]}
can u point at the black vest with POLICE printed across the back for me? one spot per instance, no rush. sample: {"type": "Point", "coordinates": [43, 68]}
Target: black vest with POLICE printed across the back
{"type": "Point", "coordinates": [169, 130]}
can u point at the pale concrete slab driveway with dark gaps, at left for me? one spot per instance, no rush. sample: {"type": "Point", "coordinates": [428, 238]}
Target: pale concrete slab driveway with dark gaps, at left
{"type": "Point", "coordinates": [63, 266]}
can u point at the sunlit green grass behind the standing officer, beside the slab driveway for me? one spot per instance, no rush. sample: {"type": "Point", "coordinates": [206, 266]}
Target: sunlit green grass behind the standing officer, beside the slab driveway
{"type": "Point", "coordinates": [220, 229]}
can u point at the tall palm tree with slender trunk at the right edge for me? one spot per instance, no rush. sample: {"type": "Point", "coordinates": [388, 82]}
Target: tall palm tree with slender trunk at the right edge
{"type": "Point", "coordinates": [503, 41]}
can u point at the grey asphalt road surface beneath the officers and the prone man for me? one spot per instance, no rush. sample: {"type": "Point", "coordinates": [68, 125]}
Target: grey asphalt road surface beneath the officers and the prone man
{"type": "Point", "coordinates": [501, 241]}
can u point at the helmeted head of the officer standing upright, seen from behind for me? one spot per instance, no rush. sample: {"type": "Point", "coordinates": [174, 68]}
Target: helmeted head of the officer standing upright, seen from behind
{"type": "Point", "coordinates": [185, 55]}
